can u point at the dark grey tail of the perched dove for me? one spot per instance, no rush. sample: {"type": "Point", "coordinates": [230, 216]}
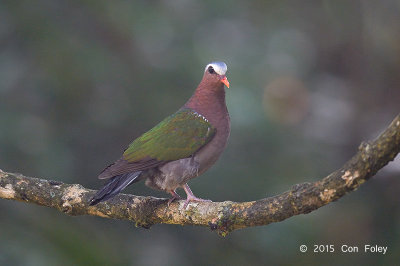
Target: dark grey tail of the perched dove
{"type": "Point", "coordinates": [114, 186]}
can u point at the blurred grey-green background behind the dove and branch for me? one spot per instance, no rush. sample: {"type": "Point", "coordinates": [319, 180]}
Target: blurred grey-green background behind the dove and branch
{"type": "Point", "coordinates": [309, 81]}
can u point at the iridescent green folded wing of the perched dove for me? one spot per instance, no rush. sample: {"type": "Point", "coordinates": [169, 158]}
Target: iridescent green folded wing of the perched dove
{"type": "Point", "coordinates": [178, 136]}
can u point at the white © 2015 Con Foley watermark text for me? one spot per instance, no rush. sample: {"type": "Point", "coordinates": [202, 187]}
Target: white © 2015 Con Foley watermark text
{"type": "Point", "coordinates": [344, 248]}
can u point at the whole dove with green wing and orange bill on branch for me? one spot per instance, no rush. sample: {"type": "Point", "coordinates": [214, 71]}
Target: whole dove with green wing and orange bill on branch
{"type": "Point", "coordinates": [181, 147]}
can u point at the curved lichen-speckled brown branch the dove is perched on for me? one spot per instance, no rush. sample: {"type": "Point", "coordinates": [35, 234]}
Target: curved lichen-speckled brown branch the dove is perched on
{"type": "Point", "coordinates": [223, 217]}
